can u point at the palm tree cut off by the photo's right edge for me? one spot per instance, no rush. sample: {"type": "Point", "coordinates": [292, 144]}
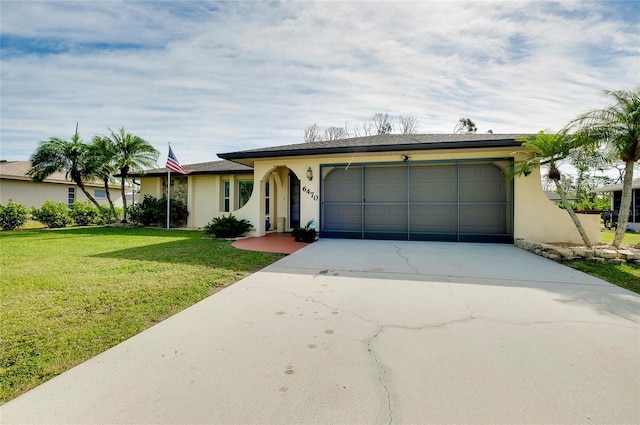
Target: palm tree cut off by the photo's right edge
{"type": "Point", "coordinates": [617, 127]}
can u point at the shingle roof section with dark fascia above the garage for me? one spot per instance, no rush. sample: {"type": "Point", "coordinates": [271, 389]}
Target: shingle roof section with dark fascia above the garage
{"type": "Point", "coordinates": [381, 143]}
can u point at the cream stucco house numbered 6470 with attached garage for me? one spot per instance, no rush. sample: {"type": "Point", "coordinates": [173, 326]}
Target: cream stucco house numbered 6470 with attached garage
{"type": "Point", "coordinates": [448, 187]}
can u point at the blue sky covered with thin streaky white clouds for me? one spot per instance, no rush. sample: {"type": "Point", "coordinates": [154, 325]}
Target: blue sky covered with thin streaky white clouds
{"type": "Point", "coordinates": [214, 77]}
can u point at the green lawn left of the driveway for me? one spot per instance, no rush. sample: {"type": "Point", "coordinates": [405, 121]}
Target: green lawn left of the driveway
{"type": "Point", "coordinates": [67, 295]}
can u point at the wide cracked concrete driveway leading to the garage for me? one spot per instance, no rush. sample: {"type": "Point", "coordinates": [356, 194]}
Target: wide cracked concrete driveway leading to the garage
{"type": "Point", "coordinates": [373, 332]}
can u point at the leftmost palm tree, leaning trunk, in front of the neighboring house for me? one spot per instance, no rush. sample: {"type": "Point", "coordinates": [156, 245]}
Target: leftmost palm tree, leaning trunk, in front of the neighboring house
{"type": "Point", "coordinates": [71, 157]}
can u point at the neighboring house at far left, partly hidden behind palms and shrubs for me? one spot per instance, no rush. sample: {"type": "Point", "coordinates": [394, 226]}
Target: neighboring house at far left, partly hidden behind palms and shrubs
{"type": "Point", "coordinates": [16, 185]}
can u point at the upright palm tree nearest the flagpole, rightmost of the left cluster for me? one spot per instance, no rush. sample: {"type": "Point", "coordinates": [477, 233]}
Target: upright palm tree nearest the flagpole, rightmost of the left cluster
{"type": "Point", "coordinates": [132, 153]}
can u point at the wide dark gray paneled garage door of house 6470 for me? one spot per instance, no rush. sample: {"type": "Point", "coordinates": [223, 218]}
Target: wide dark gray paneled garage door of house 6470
{"type": "Point", "coordinates": [454, 201]}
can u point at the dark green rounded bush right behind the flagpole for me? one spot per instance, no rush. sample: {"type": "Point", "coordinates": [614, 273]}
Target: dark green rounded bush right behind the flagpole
{"type": "Point", "coordinates": [152, 211]}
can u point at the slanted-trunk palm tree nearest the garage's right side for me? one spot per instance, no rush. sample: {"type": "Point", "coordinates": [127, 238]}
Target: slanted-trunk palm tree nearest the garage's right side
{"type": "Point", "coordinates": [549, 150]}
